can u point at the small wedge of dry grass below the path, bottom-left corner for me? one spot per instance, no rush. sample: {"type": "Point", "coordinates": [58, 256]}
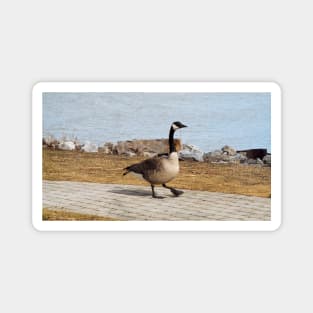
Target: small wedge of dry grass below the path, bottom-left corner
{"type": "Point", "coordinates": [58, 215]}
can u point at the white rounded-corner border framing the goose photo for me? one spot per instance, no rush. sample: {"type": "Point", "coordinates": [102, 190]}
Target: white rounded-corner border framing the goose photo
{"type": "Point", "coordinates": [42, 87]}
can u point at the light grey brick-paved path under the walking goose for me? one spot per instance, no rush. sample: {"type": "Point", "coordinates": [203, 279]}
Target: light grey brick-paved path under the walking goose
{"type": "Point", "coordinates": [129, 202]}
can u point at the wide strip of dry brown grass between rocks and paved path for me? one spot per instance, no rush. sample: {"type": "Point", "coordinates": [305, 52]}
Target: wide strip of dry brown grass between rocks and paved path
{"type": "Point", "coordinates": [101, 168]}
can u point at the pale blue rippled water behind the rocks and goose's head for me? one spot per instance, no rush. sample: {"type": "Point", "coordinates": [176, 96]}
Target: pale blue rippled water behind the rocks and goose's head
{"type": "Point", "coordinates": [241, 120]}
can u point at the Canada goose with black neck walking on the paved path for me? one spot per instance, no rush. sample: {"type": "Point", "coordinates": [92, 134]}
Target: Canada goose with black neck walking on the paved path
{"type": "Point", "coordinates": [160, 170]}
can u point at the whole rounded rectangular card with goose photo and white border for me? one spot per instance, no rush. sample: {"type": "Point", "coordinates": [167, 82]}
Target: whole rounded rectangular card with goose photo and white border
{"type": "Point", "coordinates": [87, 138]}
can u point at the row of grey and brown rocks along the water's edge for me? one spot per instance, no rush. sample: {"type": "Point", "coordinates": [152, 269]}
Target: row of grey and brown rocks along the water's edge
{"type": "Point", "coordinates": [153, 147]}
